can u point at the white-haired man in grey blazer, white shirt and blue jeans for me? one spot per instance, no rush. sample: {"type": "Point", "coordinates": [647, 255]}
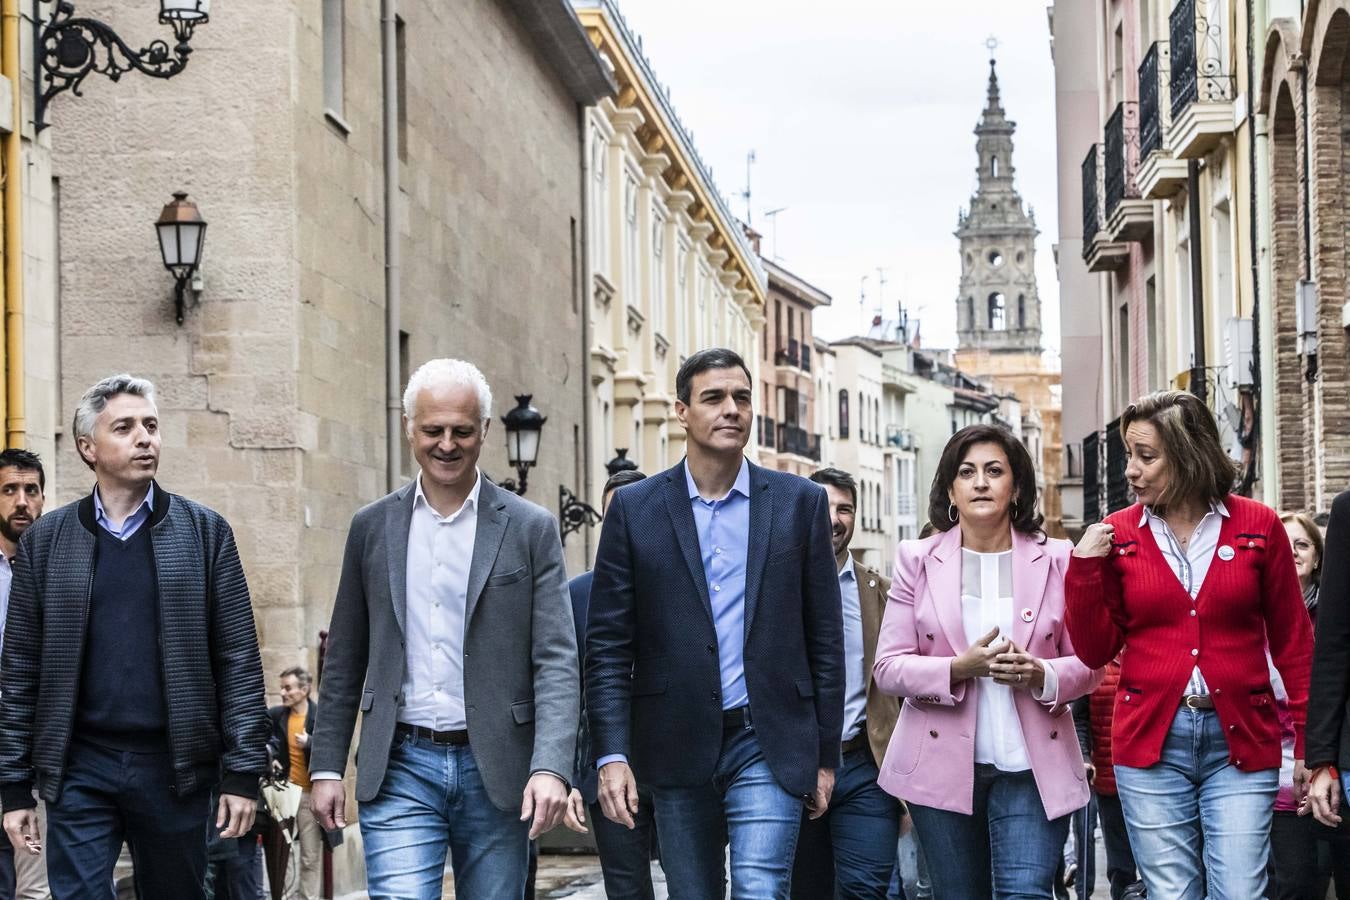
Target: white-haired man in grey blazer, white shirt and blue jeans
{"type": "Point", "coordinates": [453, 636]}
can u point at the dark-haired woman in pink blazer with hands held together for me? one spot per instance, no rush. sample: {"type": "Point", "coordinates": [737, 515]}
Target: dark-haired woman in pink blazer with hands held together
{"type": "Point", "coordinates": [974, 640]}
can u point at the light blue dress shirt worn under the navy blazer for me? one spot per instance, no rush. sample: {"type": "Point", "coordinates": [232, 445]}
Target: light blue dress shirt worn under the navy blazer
{"type": "Point", "coordinates": [724, 539]}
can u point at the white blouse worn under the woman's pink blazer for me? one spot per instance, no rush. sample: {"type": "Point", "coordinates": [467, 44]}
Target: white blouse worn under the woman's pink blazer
{"type": "Point", "coordinates": [988, 602]}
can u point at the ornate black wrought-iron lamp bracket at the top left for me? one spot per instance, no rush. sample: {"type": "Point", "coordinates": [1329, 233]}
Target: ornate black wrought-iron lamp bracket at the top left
{"type": "Point", "coordinates": [68, 48]}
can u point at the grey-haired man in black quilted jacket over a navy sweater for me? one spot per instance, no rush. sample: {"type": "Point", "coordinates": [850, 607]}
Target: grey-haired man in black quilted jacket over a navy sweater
{"type": "Point", "coordinates": [130, 620]}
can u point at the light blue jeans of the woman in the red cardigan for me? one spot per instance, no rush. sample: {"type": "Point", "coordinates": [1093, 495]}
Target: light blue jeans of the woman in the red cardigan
{"type": "Point", "coordinates": [1197, 822]}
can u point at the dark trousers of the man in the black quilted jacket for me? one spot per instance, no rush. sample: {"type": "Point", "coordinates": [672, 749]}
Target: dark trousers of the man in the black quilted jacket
{"type": "Point", "coordinates": [114, 797]}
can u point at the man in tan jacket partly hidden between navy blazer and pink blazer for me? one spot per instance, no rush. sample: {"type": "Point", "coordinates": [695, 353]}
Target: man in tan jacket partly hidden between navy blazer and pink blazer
{"type": "Point", "coordinates": [850, 852]}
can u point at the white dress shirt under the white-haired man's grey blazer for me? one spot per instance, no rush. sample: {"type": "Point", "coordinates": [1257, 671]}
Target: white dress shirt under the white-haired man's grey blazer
{"type": "Point", "coordinates": [439, 554]}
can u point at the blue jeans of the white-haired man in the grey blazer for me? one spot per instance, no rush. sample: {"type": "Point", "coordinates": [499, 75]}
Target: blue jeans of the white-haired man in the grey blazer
{"type": "Point", "coordinates": [434, 799]}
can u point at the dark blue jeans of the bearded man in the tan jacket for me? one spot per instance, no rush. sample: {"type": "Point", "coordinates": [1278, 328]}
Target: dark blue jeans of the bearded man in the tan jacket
{"type": "Point", "coordinates": [850, 852]}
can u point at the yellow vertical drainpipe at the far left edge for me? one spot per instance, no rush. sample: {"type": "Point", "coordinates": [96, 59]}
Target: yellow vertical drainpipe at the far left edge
{"type": "Point", "coordinates": [16, 424]}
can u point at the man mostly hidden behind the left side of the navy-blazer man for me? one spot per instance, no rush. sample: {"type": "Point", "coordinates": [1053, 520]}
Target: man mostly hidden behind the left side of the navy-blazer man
{"type": "Point", "coordinates": [626, 855]}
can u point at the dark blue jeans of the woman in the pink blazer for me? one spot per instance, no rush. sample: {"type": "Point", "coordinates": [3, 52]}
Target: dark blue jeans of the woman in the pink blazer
{"type": "Point", "coordinates": [1006, 849]}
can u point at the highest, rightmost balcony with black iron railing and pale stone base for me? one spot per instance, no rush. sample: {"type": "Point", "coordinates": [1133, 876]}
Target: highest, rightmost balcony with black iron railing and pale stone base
{"type": "Point", "coordinates": [1202, 88]}
